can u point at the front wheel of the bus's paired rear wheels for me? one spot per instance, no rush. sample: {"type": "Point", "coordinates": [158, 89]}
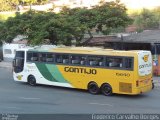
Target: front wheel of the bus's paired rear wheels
{"type": "Point", "coordinates": [93, 88]}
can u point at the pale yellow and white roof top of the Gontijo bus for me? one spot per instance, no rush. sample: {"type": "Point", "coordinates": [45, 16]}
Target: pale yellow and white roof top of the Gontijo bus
{"type": "Point", "coordinates": [89, 50]}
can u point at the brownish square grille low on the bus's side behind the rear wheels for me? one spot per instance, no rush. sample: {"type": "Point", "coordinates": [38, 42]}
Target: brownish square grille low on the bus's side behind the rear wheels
{"type": "Point", "coordinates": [125, 87]}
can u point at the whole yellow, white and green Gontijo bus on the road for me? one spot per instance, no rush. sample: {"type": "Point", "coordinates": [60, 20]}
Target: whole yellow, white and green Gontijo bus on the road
{"type": "Point", "coordinates": [92, 69]}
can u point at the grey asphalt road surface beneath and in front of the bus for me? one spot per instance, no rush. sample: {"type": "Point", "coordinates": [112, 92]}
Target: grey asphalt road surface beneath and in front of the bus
{"type": "Point", "coordinates": [19, 98]}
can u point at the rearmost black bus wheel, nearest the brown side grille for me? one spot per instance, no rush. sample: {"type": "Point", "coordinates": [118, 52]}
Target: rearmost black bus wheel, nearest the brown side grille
{"type": "Point", "coordinates": [106, 89]}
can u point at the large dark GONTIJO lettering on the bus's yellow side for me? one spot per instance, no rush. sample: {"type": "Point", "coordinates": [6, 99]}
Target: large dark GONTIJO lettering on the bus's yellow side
{"type": "Point", "coordinates": [80, 70]}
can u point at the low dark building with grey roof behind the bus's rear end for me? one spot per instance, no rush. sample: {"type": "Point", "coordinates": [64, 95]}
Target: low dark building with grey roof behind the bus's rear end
{"type": "Point", "coordinates": [146, 40]}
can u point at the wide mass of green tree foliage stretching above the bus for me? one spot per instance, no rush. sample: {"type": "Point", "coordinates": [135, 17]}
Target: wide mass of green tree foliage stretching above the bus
{"type": "Point", "coordinates": [68, 25]}
